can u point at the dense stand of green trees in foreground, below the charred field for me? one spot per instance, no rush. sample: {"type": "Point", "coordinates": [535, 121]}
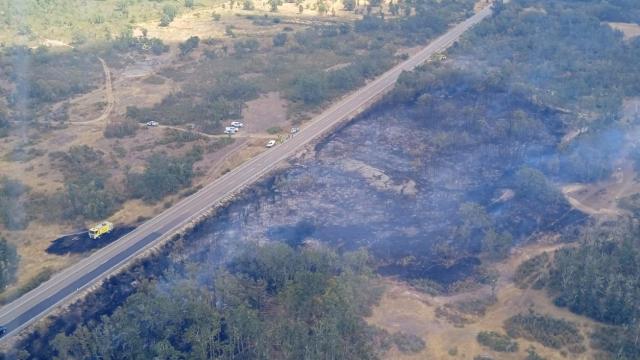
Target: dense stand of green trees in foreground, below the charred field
{"type": "Point", "coordinates": [271, 301]}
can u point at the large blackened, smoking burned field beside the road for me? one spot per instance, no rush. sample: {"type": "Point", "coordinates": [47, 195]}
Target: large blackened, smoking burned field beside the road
{"type": "Point", "coordinates": [371, 186]}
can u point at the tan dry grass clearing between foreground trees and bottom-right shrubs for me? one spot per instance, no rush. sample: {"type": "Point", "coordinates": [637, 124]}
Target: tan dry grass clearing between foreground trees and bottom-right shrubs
{"type": "Point", "coordinates": [405, 309]}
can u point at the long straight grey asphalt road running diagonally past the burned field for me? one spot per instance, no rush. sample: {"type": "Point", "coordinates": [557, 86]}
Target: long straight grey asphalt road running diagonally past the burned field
{"type": "Point", "coordinates": [40, 301]}
